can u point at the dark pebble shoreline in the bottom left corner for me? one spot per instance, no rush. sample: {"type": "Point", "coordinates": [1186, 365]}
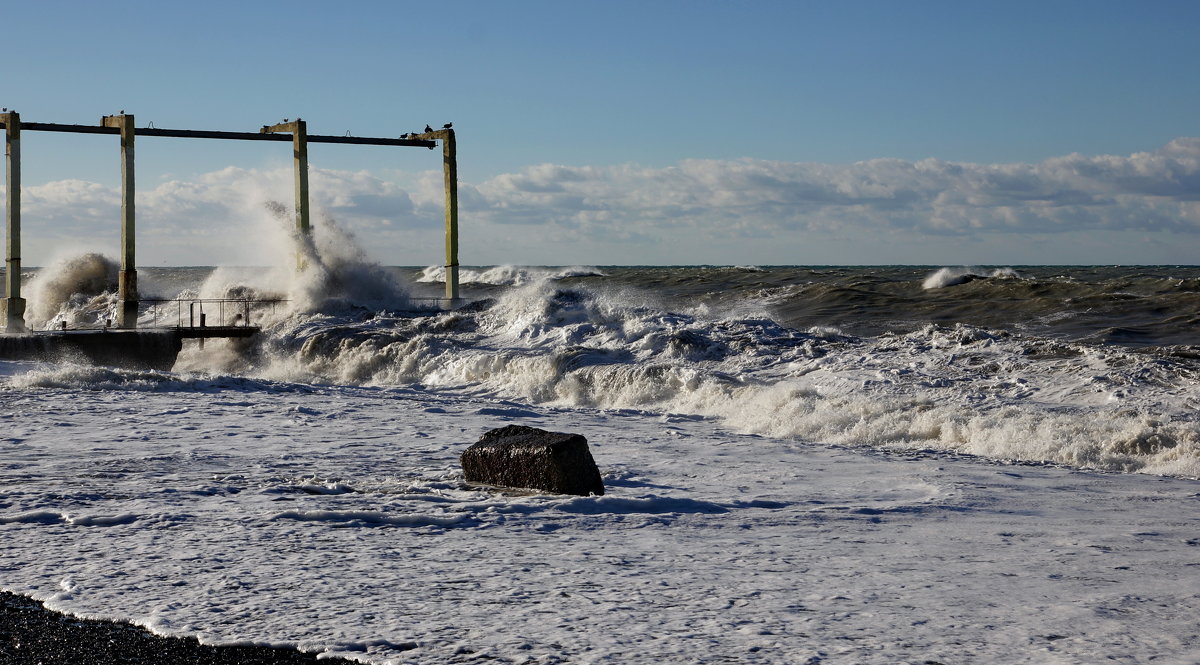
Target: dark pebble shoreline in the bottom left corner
{"type": "Point", "coordinates": [32, 634]}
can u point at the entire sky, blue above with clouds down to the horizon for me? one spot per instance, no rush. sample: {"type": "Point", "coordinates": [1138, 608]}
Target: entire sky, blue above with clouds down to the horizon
{"type": "Point", "coordinates": [635, 133]}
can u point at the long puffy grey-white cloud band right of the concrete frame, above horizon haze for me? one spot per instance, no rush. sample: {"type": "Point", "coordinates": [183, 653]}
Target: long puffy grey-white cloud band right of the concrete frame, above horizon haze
{"type": "Point", "coordinates": [1144, 191]}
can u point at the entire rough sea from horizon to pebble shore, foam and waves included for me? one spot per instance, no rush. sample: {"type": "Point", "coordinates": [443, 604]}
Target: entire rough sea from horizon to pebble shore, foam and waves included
{"type": "Point", "coordinates": [802, 463]}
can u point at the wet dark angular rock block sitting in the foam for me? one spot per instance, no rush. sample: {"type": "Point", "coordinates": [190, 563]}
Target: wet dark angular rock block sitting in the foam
{"type": "Point", "coordinates": [520, 457]}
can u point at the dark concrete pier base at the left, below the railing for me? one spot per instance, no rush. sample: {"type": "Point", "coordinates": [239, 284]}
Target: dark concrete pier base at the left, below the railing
{"type": "Point", "coordinates": [121, 349]}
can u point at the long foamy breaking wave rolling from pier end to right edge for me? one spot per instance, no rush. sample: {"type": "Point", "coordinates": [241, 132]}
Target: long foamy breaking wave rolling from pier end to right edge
{"type": "Point", "coordinates": [959, 390]}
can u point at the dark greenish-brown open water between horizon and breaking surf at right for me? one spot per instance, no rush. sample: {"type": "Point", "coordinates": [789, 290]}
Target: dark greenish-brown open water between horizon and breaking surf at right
{"type": "Point", "coordinates": [1157, 305]}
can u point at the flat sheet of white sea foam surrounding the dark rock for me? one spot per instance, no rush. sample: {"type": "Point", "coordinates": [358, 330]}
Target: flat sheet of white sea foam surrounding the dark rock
{"type": "Point", "coordinates": [193, 517]}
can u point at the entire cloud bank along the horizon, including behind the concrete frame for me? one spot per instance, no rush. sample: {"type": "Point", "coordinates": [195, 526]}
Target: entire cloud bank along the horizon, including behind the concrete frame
{"type": "Point", "coordinates": [695, 212]}
